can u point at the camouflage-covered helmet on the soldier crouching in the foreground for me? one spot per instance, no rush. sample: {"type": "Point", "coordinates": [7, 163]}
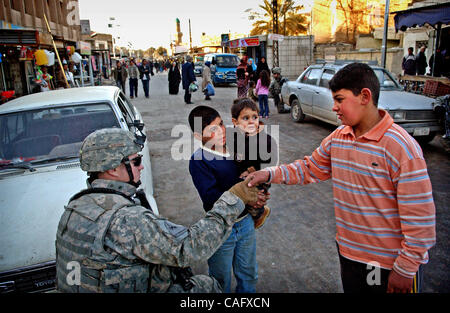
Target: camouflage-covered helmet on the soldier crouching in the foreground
{"type": "Point", "coordinates": [105, 149]}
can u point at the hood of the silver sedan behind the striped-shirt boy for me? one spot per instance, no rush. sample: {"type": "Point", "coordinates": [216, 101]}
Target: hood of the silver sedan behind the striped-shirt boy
{"type": "Point", "coordinates": [400, 100]}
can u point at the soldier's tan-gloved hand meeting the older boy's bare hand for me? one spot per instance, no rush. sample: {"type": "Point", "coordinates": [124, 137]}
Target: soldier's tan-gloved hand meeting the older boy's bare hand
{"type": "Point", "coordinates": [251, 191]}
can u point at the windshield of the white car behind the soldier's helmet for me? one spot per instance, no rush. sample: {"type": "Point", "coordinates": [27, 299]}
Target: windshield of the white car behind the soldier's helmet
{"type": "Point", "coordinates": [50, 134]}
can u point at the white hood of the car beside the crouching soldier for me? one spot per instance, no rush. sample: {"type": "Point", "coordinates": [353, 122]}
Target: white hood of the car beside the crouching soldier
{"type": "Point", "coordinates": [31, 205]}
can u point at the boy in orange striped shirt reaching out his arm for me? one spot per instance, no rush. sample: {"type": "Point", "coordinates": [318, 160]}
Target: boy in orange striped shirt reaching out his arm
{"type": "Point", "coordinates": [383, 202]}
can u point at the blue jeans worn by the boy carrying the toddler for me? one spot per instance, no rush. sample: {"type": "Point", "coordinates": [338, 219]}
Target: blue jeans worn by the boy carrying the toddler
{"type": "Point", "coordinates": [237, 252]}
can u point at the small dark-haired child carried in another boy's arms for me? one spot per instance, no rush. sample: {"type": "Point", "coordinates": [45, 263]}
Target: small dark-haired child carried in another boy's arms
{"type": "Point", "coordinates": [253, 148]}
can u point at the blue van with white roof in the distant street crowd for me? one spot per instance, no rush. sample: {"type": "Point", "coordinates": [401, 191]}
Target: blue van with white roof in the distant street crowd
{"type": "Point", "coordinates": [223, 67]}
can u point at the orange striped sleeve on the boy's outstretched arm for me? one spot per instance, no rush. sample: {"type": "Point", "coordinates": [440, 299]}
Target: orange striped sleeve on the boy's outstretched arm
{"type": "Point", "coordinates": [311, 169]}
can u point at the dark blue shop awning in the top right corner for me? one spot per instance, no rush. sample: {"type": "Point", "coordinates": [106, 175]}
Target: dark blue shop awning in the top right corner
{"type": "Point", "coordinates": [432, 15]}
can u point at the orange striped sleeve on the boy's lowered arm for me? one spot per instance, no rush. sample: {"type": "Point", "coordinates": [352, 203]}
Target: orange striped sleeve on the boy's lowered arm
{"type": "Point", "coordinates": [417, 216]}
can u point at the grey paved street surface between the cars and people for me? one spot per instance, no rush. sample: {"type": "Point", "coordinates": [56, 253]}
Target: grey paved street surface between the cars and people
{"type": "Point", "coordinates": [296, 251]}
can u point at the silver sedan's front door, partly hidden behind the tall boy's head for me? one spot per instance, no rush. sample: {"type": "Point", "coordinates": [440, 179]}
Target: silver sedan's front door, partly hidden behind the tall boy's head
{"type": "Point", "coordinates": [323, 100]}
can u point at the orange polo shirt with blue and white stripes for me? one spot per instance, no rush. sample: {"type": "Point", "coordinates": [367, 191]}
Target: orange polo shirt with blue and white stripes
{"type": "Point", "coordinates": [383, 200]}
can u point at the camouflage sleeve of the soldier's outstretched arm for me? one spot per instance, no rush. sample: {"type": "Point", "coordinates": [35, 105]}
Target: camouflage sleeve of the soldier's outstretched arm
{"type": "Point", "coordinates": [156, 240]}
